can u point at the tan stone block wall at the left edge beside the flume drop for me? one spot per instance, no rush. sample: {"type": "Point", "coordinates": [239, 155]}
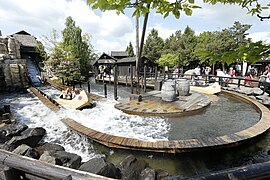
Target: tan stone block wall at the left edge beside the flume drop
{"type": "Point", "coordinates": [13, 75]}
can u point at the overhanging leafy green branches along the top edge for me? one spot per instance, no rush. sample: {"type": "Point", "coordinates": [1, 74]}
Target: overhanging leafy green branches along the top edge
{"type": "Point", "coordinates": [166, 7]}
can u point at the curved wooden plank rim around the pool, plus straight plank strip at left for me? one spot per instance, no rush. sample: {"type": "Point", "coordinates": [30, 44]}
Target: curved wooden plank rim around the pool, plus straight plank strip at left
{"type": "Point", "coordinates": [171, 146]}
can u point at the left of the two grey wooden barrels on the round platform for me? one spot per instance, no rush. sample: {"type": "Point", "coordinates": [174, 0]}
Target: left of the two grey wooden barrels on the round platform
{"type": "Point", "coordinates": [168, 91]}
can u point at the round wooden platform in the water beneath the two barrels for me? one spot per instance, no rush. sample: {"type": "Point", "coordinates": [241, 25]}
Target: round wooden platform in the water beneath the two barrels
{"type": "Point", "coordinates": [152, 105]}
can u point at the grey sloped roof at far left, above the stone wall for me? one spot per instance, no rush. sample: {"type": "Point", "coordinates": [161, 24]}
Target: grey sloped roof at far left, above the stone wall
{"type": "Point", "coordinates": [25, 39]}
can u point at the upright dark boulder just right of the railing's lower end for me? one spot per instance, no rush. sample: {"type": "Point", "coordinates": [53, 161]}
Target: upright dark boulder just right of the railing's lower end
{"type": "Point", "coordinates": [131, 168]}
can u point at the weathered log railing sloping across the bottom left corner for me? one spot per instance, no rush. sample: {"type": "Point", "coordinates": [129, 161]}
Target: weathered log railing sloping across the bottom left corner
{"type": "Point", "coordinates": [21, 167]}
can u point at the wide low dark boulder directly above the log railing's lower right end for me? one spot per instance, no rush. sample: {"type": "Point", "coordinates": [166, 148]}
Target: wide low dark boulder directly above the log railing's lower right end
{"type": "Point", "coordinates": [101, 167]}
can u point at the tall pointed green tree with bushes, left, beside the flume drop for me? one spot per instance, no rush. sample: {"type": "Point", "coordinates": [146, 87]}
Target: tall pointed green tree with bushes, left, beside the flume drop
{"type": "Point", "coordinates": [71, 57]}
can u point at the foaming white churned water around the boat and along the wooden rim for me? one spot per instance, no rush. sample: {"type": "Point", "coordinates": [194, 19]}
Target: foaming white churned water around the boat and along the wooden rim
{"type": "Point", "coordinates": [104, 118]}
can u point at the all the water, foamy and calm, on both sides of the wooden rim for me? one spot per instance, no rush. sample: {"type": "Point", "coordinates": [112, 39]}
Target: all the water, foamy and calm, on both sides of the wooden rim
{"type": "Point", "coordinates": [225, 115]}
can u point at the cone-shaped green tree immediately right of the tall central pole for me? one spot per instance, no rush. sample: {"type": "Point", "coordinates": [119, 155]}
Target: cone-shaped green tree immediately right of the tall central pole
{"type": "Point", "coordinates": [153, 46]}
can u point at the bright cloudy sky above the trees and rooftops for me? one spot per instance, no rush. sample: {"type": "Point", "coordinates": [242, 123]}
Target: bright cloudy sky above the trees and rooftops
{"type": "Point", "coordinates": [112, 32]}
